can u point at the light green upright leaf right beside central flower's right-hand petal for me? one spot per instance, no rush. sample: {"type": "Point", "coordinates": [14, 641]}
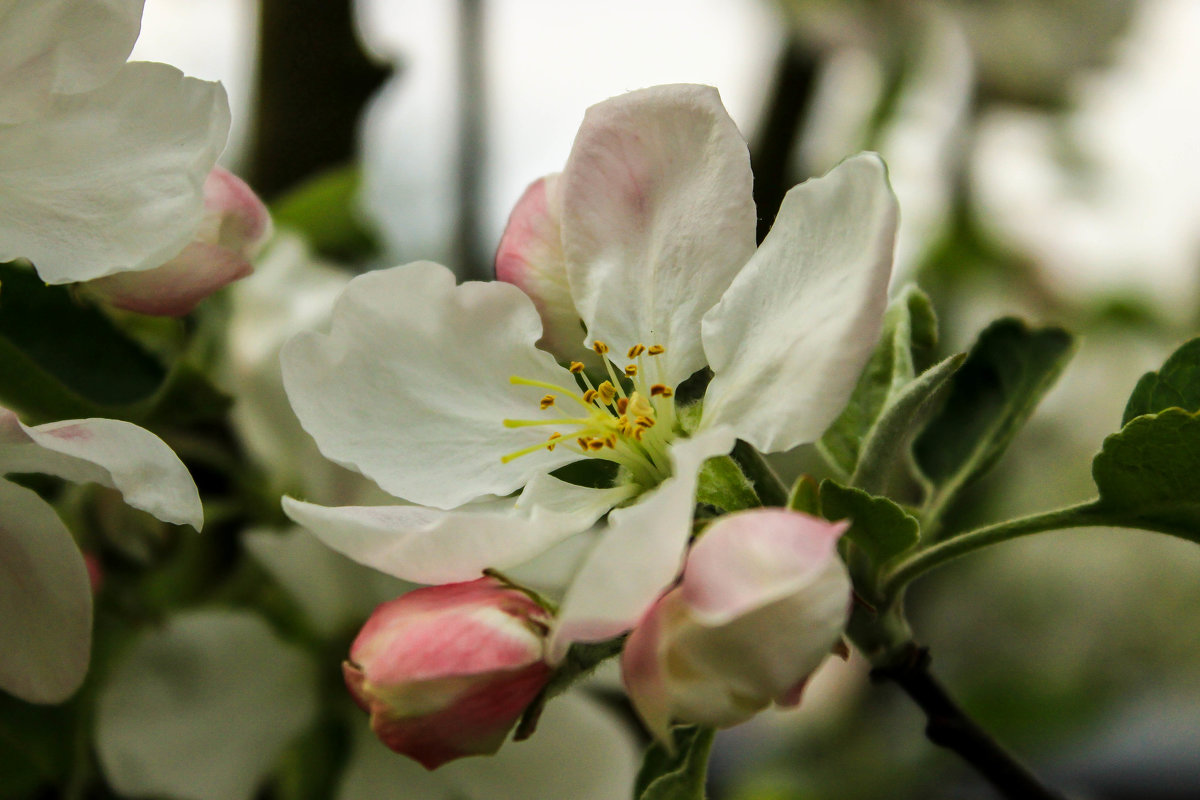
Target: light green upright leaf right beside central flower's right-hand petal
{"type": "Point", "coordinates": [909, 326]}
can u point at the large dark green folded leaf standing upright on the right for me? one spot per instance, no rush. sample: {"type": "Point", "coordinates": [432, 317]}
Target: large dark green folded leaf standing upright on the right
{"type": "Point", "coordinates": [1006, 375]}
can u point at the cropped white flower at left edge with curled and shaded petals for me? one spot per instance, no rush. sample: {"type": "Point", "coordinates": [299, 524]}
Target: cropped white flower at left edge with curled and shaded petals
{"type": "Point", "coordinates": [45, 593]}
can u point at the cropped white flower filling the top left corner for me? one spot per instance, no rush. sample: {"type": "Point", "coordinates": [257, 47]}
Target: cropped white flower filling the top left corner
{"type": "Point", "coordinates": [103, 164]}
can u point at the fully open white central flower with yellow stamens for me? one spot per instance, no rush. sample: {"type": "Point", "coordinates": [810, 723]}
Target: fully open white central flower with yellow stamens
{"type": "Point", "coordinates": [439, 393]}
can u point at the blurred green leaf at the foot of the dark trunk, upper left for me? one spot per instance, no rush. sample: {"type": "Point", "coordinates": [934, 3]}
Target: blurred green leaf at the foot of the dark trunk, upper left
{"type": "Point", "coordinates": [325, 210]}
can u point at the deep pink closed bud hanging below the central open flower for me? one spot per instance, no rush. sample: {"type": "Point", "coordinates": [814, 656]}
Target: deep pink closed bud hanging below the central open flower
{"type": "Point", "coordinates": [447, 671]}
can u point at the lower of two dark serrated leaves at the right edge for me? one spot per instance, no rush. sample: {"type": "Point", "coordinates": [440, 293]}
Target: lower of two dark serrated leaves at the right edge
{"type": "Point", "coordinates": [1149, 474]}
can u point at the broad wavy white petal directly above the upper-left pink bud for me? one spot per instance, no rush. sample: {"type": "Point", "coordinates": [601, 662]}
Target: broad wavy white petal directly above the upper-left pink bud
{"type": "Point", "coordinates": [112, 179]}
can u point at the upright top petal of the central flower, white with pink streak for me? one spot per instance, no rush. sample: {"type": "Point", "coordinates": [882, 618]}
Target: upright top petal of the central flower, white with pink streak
{"type": "Point", "coordinates": [658, 219]}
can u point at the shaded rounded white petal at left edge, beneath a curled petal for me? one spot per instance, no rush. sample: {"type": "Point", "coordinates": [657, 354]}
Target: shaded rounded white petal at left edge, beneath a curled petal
{"type": "Point", "coordinates": [45, 601]}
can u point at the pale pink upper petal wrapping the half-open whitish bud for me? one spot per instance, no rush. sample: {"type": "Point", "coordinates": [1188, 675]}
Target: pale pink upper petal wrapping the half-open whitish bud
{"type": "Point", "coordinates": [751, 560]}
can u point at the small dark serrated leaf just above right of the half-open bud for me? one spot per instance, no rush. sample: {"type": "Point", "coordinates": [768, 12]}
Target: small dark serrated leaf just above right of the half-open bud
{"type": "Point", "coordinates": [879, 527]}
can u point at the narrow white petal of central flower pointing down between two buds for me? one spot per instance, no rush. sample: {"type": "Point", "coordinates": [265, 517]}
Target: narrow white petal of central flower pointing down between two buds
{"type": "Point", "coordinates": [640, 555]}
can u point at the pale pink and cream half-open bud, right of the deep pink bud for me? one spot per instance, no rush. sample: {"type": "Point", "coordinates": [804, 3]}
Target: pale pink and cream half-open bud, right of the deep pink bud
{"type": "Point", "coordinates": [763, 601]}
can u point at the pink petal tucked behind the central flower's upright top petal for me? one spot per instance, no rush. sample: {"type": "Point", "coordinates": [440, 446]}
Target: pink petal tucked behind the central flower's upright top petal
{"type": "Point", "coordinates": [531, 257]}
